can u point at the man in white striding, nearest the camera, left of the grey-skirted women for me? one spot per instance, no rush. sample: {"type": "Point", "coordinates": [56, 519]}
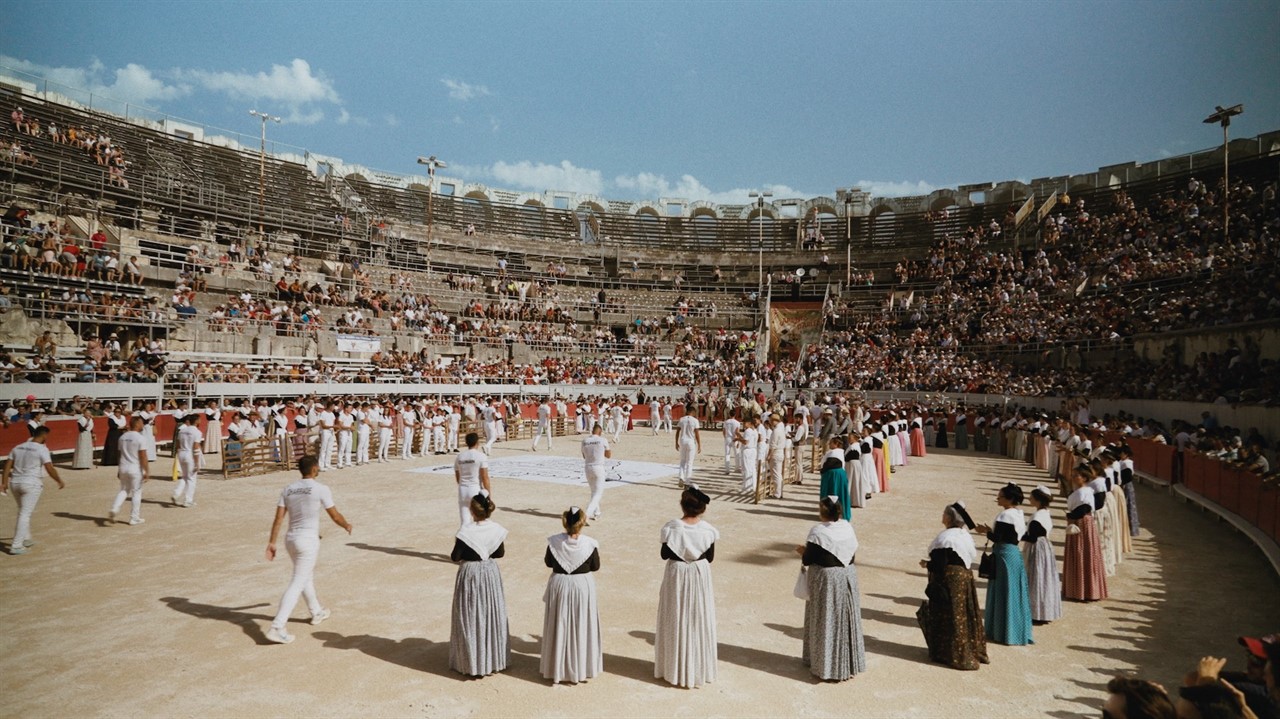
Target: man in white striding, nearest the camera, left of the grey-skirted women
{"type": "Point", "coordinates": [303, 502]}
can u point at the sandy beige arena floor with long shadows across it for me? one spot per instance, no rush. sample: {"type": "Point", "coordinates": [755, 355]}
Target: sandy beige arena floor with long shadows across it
{"type": "Point", "coordinates": [168, 619]}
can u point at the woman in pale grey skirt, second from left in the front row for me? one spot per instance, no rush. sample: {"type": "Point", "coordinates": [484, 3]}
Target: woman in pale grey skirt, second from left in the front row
{"type": "Point", "coordinates": [572, 624]}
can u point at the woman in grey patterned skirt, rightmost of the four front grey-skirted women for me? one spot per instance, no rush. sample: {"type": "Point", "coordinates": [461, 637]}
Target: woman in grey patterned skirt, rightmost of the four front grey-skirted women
{"type": "Point", "coordinates": [833, 613]}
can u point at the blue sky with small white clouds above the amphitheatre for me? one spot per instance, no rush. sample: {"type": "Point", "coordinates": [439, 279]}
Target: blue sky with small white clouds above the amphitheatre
{"type": "Point", "coordinates": [697, 100]}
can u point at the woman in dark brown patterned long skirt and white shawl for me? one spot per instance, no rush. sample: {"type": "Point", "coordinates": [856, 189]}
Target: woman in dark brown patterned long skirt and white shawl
{"type": "Point", "coordinates": [950, 617]}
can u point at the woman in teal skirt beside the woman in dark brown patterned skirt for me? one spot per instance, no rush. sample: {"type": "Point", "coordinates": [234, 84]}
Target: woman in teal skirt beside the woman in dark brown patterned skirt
{"type": "Point", "coordinates": [1009, 611]}
